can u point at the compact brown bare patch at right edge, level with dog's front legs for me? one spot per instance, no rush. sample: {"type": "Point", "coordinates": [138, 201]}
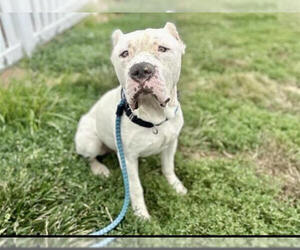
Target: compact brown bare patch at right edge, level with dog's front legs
{"type": "Point", "coordinates": [273, 158]}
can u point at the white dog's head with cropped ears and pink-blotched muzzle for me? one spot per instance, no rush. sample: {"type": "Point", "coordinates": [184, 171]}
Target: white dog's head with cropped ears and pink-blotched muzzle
{"type": "Point", "coordinates": [148, 62]}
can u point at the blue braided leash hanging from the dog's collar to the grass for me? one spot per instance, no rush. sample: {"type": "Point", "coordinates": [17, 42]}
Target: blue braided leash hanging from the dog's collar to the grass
{"type": "Point", "coordinates": [122, 162]}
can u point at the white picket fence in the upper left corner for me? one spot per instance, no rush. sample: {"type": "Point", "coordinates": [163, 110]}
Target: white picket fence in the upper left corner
{"type": "Point", "coordinates": [26, 23]}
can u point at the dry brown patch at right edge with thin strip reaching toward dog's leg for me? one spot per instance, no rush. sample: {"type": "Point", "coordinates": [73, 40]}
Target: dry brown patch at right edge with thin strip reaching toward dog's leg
{"type": "Point", "coordinates": [272, 158]}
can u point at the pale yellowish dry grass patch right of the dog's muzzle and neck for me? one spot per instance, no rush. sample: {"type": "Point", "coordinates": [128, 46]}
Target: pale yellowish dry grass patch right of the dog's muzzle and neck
{"type": "Point", "coordinates": [252, 86]}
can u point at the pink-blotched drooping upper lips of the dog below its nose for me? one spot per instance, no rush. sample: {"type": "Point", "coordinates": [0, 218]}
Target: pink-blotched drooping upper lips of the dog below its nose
{"type": "Point", "coordinates": [154, 86]}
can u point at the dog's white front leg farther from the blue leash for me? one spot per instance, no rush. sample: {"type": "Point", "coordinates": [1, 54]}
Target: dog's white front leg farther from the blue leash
{"type": "Point", "coordinates": [167, 161]}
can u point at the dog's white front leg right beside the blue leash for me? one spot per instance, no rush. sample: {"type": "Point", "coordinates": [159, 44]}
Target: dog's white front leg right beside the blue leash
{"type": "Point", "coordinates": [136, 189]}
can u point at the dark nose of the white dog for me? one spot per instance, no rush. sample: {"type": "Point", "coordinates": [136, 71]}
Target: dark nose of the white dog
{"type": "Point", "coordinates": [141, 71]}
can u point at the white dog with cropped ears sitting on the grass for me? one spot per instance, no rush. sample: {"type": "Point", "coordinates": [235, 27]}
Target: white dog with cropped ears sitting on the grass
{"type": "Point", "coordinates": [147, 64]}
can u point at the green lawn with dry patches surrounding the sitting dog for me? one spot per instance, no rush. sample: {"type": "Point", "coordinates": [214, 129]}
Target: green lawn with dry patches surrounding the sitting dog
{"type": "Point", "coordinates": [238, 153]}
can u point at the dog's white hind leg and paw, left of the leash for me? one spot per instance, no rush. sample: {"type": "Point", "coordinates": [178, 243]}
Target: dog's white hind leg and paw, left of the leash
{"type": "Point", "coordinates": [89, 145]}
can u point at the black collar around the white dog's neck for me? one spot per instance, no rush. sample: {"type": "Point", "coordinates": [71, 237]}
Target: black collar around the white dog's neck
{"type": "Point", "coordinates": [125, 107]}
